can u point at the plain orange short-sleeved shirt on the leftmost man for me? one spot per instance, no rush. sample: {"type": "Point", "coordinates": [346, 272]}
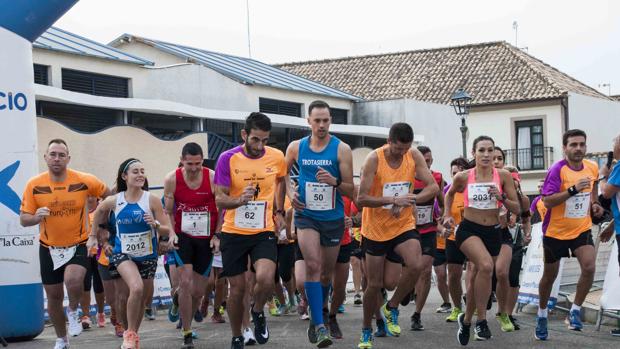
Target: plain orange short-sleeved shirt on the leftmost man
{"type": "Point", "coordinates": [68, 222]}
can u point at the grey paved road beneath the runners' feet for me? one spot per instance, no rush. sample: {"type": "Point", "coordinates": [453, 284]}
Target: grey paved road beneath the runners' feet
{"type": "Point", "coordinates": [289, 332]}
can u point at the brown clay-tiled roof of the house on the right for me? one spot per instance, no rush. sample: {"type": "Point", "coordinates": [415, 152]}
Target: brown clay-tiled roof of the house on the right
{"type": "Point", "coordinates": [492, 73]}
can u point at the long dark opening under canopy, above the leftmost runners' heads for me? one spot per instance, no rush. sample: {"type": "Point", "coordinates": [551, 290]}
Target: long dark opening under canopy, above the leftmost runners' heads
{"type": "Point", "coordinates": [80, 118]}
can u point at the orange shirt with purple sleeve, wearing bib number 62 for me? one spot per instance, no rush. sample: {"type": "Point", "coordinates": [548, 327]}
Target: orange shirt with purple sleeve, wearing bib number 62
{"type": "Point", "coordinates": [235, 170]}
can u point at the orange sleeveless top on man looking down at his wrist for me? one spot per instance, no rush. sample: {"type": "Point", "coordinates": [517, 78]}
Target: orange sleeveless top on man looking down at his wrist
{"type": "Point", "coordinates": [378, 224]}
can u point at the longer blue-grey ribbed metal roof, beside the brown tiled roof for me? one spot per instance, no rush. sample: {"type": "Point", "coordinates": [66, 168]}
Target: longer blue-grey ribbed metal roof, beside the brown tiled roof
{"type": "Point", "coordinates": [244, 70]}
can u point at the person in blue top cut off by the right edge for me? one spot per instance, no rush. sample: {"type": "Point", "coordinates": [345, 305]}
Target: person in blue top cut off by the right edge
{"type": "Point", "coordinates": [610, 183]}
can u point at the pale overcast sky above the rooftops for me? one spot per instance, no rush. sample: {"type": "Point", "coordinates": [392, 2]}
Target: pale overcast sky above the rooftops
{"type": "Point", "coordinates": [580, 38]}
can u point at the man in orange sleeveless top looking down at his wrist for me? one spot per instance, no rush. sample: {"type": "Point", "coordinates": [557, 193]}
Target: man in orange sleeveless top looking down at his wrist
{"type": "Point", "coordinates": [388, 223]}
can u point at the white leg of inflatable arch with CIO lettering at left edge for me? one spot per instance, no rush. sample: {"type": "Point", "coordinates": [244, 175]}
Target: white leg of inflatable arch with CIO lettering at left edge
{"type": "Point", "coordinates": [19, 255]}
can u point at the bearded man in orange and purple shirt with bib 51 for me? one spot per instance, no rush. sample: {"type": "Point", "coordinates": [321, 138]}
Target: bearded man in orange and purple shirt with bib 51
{"type": "Point", "coordinates": [570, 193]}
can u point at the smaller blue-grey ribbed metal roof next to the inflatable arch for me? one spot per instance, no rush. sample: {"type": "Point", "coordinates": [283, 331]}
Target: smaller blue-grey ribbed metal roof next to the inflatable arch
{"type": "Point", "coordinates": [56, 39]}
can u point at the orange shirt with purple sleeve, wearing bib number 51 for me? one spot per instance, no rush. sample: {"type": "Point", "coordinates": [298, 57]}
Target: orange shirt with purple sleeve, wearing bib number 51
{"type": "Point", "coordinates": [571, 218]}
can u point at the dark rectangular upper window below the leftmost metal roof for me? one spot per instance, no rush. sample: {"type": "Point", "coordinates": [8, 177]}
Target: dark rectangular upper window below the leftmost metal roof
{"type": "Point", "coordinates": [95, 84]}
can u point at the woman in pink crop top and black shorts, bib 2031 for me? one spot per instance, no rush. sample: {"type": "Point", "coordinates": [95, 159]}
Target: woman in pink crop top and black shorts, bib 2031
{"type": "Point", "coordinates": [484, 188]}
